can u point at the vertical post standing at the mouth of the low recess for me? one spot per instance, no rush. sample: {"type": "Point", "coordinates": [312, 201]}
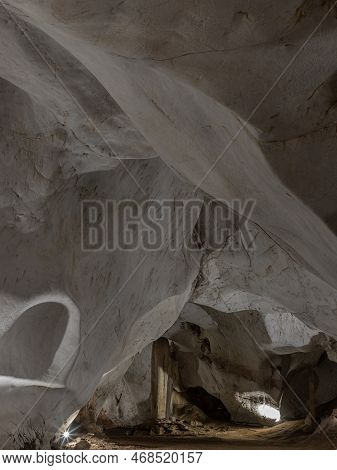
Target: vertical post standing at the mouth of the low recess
{"type": "Point", "coordinates": [161, 381]}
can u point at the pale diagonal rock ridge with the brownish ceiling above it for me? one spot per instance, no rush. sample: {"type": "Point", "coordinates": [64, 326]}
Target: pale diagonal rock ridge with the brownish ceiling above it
{"type": "Point", "coordinates": [191, 131]}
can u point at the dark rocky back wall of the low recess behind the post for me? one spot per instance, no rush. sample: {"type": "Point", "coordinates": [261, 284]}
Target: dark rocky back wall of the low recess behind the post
{"type": "Point", "coordinates": [246, 360]}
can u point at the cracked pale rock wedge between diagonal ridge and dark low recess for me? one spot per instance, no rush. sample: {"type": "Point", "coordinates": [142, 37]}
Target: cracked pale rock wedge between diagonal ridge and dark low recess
{"type": "Point", "coordinates": [268, 279]}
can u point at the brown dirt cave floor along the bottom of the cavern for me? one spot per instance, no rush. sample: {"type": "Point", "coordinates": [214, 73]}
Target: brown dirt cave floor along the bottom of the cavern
{"type": "Point", "coordinates": [289, 435]}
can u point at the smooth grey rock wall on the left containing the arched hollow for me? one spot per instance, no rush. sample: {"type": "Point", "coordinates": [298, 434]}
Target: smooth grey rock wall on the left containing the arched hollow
{"type": "Point", "coordinates": [49, 278]}
